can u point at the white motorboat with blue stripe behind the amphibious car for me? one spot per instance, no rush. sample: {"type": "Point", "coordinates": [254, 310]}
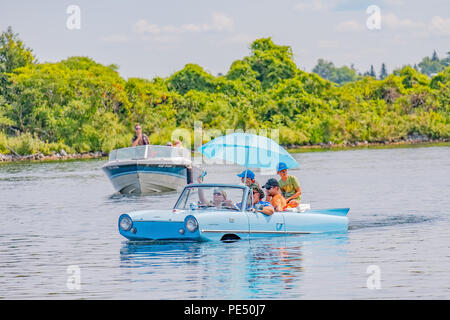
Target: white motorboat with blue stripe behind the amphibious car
{"type": "Point", "coordinates": [149, 169]}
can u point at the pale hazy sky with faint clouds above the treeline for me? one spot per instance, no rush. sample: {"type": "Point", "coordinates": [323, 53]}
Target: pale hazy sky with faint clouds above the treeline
{"type": "Point", "coordinates": [157, 38]}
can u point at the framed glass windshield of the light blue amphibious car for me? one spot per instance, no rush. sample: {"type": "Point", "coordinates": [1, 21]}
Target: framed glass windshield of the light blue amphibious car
{"type": "Point", "coordinates": [211, 198]}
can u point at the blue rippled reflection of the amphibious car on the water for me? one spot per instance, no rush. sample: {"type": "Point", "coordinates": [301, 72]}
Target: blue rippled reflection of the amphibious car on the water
{"type": "Point", "coordinates": [256, 269]}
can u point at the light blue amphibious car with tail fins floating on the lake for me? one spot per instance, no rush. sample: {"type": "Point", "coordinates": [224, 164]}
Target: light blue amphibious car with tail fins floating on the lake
{"type": "Point", "coordinates": [206, 212]}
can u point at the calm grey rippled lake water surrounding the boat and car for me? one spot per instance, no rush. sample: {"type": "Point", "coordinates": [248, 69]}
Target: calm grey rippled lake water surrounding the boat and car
{"type": "Point", "coordinates": [59, 220]}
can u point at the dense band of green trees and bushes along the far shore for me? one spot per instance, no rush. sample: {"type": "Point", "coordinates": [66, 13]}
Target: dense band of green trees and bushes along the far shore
{"type": "Point", "coordinates": [78, 108]}
